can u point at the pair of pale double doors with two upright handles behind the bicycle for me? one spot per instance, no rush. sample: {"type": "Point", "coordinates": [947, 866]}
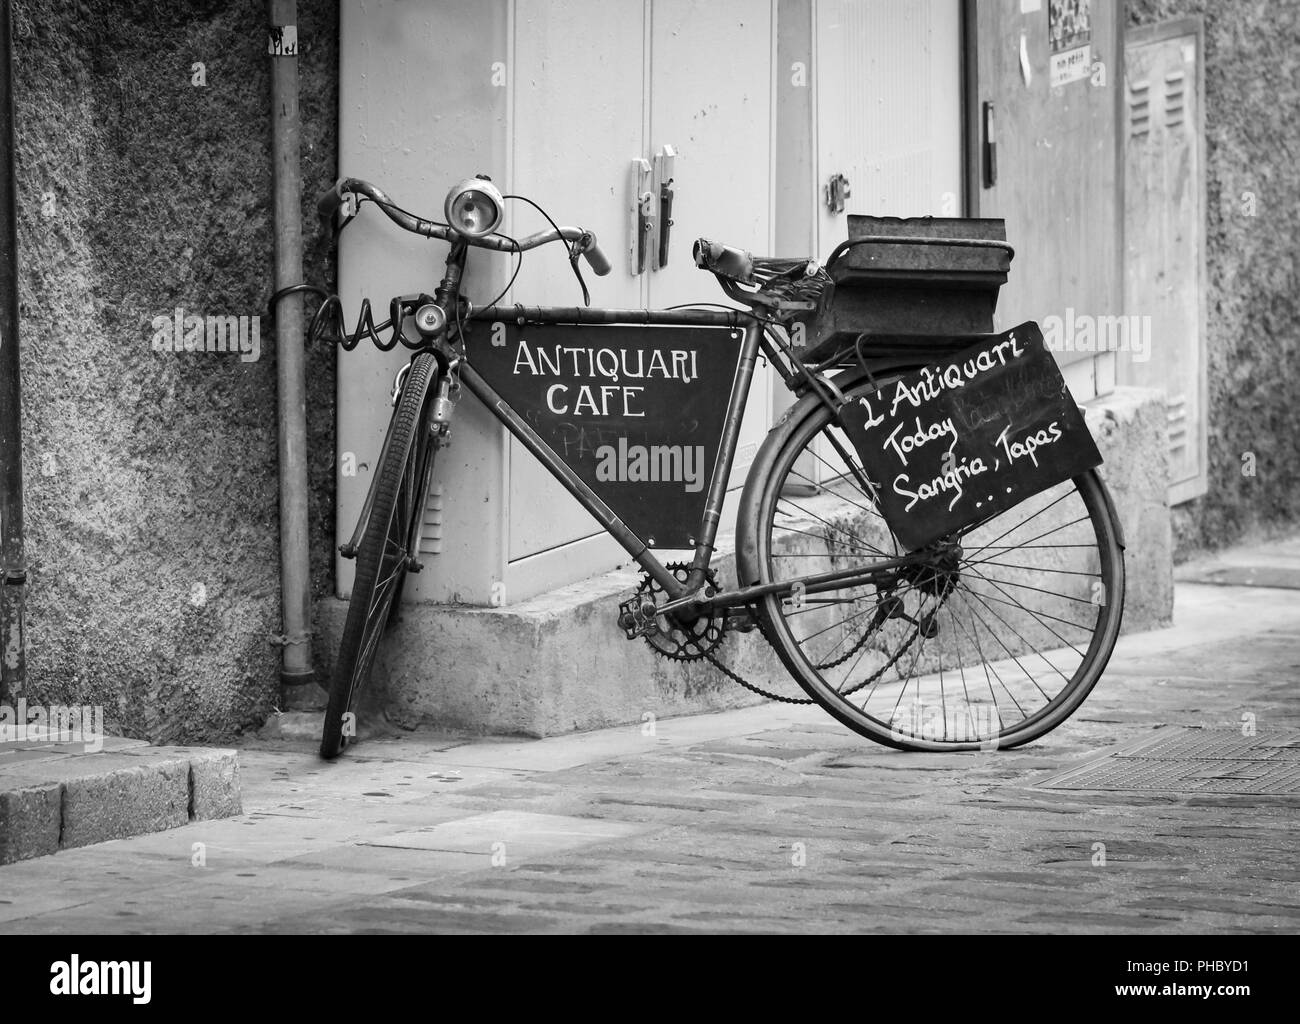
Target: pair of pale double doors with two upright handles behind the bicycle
{"type": "Point", "coordinates": [660, 77]}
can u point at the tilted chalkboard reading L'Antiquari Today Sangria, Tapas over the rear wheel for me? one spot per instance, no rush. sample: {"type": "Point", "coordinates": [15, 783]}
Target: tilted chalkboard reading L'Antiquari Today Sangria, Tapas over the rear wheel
{"type": "Point", "coordinates": [969, 437]}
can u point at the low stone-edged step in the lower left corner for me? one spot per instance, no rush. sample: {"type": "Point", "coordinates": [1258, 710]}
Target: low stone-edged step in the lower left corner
{"type": "Point", "coordinates": [60, 796]}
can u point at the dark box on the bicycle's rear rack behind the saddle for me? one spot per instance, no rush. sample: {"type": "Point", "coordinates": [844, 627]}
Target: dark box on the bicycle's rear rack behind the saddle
{"type": "Point", "coordinates": [939, 280]}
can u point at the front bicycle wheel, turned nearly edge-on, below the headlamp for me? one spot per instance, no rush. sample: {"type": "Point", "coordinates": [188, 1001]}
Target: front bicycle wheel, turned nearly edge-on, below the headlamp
{"type": "Point", "coordinates": [383, 556]}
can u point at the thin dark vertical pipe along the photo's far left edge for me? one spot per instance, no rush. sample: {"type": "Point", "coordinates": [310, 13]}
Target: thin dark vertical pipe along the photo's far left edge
{"type": "Point", "coordinates": [14, 575]}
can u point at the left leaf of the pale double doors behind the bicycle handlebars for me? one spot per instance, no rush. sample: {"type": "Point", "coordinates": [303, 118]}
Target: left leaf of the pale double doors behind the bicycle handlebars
{"type": "Point", "coordinates": [571, 147]}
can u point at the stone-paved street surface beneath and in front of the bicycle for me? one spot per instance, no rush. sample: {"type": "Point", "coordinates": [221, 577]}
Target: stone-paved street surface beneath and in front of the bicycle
{"type": "Point", "coordinates": [769, 819]}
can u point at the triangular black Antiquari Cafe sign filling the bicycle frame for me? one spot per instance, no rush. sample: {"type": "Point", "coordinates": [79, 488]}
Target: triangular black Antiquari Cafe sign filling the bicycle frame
{"type": "Point", "coordinates": [636, 411]}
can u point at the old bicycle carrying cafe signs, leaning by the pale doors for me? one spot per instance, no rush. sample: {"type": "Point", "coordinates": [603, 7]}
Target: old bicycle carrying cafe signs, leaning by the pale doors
{"type": "Point", "coordinates": [904, 604]}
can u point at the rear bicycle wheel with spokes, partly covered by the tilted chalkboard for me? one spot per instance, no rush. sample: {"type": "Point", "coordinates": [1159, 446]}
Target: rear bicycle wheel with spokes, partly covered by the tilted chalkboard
{"type": "Point", "coordinates": [991, 640]}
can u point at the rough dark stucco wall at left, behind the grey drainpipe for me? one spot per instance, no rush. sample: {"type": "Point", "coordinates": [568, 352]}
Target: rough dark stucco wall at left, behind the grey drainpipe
{"type": "Point", "coordinates": [151, 478]}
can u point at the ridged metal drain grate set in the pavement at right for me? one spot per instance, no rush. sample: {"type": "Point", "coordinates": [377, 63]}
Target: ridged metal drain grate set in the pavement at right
{"type": "Point", "coordinates": [1193, 762]}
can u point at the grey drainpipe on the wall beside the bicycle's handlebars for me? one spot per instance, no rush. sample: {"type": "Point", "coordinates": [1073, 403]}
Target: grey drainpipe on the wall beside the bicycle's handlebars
{"type": "Point", "coordinates": [291, 359]}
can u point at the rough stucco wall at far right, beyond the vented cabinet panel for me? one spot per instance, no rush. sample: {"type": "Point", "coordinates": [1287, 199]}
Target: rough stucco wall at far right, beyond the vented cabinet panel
{"type": "Point", "coordinates": [1253, 85]}
